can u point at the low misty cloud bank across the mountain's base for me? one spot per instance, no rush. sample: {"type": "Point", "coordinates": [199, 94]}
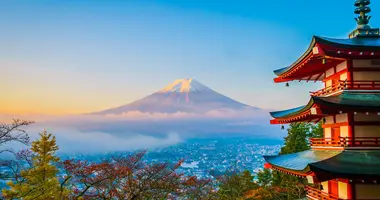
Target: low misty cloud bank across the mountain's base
{"type": "Point", "coordinates": [135, 130]}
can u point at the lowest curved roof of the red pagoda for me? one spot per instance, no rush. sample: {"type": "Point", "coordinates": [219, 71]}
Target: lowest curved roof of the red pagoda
{"type": "Point", "coordinates": [328, 164]}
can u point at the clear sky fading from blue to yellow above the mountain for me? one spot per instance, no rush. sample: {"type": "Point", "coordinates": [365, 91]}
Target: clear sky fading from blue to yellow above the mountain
{"type": "Point", "coordinates": [75, 56]}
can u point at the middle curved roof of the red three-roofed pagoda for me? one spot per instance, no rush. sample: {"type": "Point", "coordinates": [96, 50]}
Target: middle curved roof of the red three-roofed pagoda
{"type": "Point", "coordinates": [346, 101]}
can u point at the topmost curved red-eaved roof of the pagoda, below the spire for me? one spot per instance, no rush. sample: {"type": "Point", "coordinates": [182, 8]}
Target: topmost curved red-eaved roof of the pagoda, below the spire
{"type": "Point", "coordinates": [310, 66]}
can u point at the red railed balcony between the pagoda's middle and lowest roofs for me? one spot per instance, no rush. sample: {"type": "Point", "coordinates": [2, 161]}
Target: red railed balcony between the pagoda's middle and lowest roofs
{"type": "Point", "coordinates": [357, 142]}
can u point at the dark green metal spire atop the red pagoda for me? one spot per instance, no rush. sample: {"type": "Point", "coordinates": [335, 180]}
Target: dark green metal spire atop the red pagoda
{"type": "Point", "coordinates": [363, 29]}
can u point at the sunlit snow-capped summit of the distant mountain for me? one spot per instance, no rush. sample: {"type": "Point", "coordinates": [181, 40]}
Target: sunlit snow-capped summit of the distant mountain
{"type": "Point", "coordinates": [185, 85]}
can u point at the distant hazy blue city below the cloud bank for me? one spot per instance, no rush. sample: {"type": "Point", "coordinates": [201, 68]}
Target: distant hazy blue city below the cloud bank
{"type": "Point", "coordinates": [207, 158]}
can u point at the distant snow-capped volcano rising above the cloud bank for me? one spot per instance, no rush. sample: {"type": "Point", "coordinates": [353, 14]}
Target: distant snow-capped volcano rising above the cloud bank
{"type": "Point", "coordinates": [183, 95]}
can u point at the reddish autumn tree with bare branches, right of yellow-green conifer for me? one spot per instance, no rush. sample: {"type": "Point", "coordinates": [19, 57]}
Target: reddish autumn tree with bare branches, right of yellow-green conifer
{"type": "Point", "coordinates": [128, 177]}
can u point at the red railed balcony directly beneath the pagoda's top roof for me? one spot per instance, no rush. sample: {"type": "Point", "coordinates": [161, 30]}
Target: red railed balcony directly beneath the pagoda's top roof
{"type": "Point", "coordinates": [348, 85]}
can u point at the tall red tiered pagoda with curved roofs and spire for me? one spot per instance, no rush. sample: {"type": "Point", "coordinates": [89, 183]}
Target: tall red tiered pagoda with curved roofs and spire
{"type": "Point", "coordinates": [345, 163]}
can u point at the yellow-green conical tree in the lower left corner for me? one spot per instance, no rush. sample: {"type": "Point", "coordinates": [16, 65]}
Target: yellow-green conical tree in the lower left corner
{"type": "Point", "coordinates": [40, 180]}
